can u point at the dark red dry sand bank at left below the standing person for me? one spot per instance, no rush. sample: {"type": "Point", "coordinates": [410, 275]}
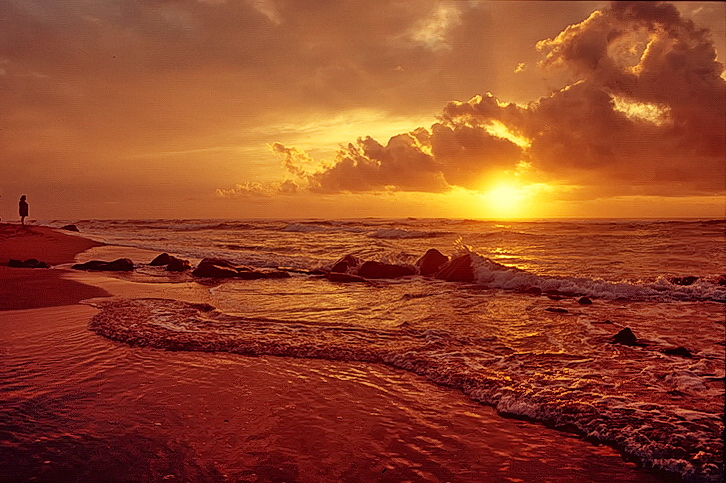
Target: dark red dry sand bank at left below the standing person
{"type": "Point", "coordinates": [27, 288]}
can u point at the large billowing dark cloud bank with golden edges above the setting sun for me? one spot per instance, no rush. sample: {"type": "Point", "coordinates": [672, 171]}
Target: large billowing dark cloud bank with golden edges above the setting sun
{"type": "Point", "coordinates": [642, 113]}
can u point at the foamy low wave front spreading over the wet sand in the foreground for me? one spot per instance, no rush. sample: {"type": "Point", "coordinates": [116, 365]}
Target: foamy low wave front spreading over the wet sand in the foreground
{"type": "Point", "coordinates": [572, 391]}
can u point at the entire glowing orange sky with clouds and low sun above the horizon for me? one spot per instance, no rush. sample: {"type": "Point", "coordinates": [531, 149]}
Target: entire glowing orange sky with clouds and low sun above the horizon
{"type": "Point", "coordinates": [333, 109]}
